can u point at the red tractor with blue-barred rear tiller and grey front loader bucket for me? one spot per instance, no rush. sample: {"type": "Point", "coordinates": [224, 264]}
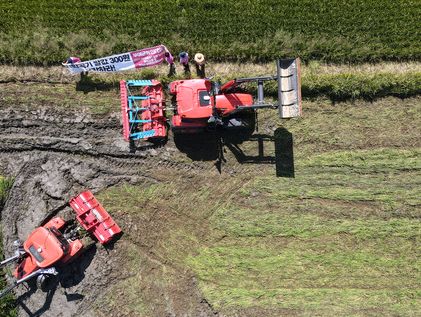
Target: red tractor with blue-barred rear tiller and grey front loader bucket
{"type": "Point", "coordinates": [199, 104]}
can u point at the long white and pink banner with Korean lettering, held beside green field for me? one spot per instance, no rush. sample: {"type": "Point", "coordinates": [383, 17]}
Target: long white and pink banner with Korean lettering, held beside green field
{"type": "Point", "coordinates": [142, 58]}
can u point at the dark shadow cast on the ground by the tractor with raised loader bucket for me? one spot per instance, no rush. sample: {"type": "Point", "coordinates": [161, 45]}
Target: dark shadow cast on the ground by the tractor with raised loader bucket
{"type": "Point", "coordinates": [209, 146]}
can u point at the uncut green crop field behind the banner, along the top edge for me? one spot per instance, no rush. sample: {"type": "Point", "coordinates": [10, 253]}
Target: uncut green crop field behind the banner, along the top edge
{"type": "Point", "coordinates": [45, 32]}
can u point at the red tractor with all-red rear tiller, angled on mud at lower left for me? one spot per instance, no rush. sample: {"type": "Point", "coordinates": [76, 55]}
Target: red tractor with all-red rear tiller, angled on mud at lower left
{"type": "Point", "coordinates": [58, 242]}
